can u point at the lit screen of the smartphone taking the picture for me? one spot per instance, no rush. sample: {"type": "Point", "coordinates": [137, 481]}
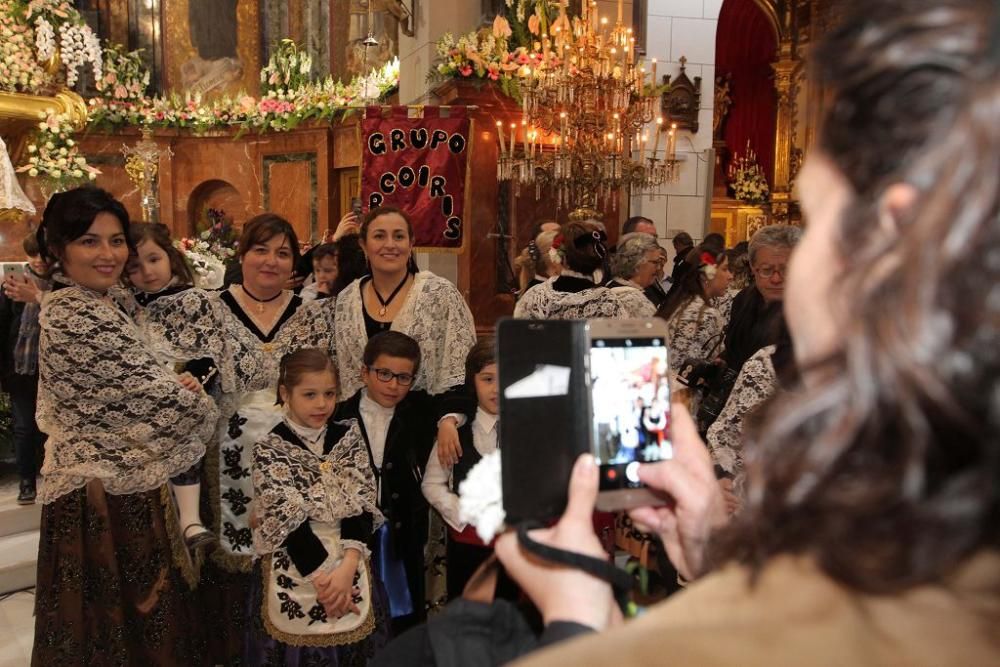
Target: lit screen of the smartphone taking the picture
{"type": "Point", "coordinates": [630, 399]}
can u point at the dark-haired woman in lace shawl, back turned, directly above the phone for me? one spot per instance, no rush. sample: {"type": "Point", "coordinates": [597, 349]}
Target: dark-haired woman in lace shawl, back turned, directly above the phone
{"type": "Point", "coordinates": [576, 294]}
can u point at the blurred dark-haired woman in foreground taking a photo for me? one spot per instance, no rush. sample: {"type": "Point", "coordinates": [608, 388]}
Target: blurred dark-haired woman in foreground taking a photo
{"type": "Point", "coordinates": [869, 532]}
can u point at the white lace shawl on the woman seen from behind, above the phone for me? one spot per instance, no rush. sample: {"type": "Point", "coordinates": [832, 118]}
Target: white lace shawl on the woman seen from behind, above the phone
{"type": "Point", "coordinates": [543, 302]}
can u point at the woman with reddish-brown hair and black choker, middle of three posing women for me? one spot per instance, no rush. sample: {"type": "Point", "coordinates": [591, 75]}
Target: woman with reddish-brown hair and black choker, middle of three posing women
{"type": "Point", "coordinates": [245, 328]}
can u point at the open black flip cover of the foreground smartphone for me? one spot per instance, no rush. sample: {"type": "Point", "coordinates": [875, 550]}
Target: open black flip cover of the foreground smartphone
{"type": "Point", "coordinates": [544, 403]}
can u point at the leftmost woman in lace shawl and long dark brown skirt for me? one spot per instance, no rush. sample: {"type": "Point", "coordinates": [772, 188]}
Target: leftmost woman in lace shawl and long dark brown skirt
{"type": "Point", "coordinates": [119, 427]}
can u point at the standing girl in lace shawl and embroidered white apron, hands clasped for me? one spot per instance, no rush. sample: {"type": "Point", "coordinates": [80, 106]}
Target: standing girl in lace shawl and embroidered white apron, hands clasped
{"type": "Point", "coordinates": [315, 601]}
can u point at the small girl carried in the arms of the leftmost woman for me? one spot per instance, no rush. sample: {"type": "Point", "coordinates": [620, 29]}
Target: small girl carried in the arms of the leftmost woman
{"type": "Point", "coordinates": [157, 269]}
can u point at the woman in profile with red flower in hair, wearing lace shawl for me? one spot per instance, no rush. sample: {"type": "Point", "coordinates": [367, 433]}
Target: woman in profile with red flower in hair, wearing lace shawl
{"type": "Point", "coordinates": [695, 326]}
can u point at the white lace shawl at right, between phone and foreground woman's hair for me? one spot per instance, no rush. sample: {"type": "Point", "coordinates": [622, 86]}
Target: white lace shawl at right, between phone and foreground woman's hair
{"type": "Point", "coordinates": [756, 383]}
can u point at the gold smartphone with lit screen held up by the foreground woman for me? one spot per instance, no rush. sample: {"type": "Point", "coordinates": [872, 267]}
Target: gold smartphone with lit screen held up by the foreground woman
{"type": "Point", "coordinates": [630, 401]}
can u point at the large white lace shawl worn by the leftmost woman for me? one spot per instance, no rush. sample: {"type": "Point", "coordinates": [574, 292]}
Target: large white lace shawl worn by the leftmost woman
{"type": "Point", "coordinates": [110, 410]}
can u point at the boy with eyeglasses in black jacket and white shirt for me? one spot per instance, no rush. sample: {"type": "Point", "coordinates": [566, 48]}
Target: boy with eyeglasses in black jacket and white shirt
{"type": "Point", "coordinates": [399, 426]}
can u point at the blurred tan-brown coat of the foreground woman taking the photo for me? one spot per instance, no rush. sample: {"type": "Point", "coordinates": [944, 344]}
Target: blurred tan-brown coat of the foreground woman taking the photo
{"type": "Point", "coordinates": [796, 615]}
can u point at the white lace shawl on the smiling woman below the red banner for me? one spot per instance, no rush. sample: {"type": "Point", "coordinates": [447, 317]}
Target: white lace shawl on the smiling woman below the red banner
{"type": "Point", "coordinates": [434, 314]}
